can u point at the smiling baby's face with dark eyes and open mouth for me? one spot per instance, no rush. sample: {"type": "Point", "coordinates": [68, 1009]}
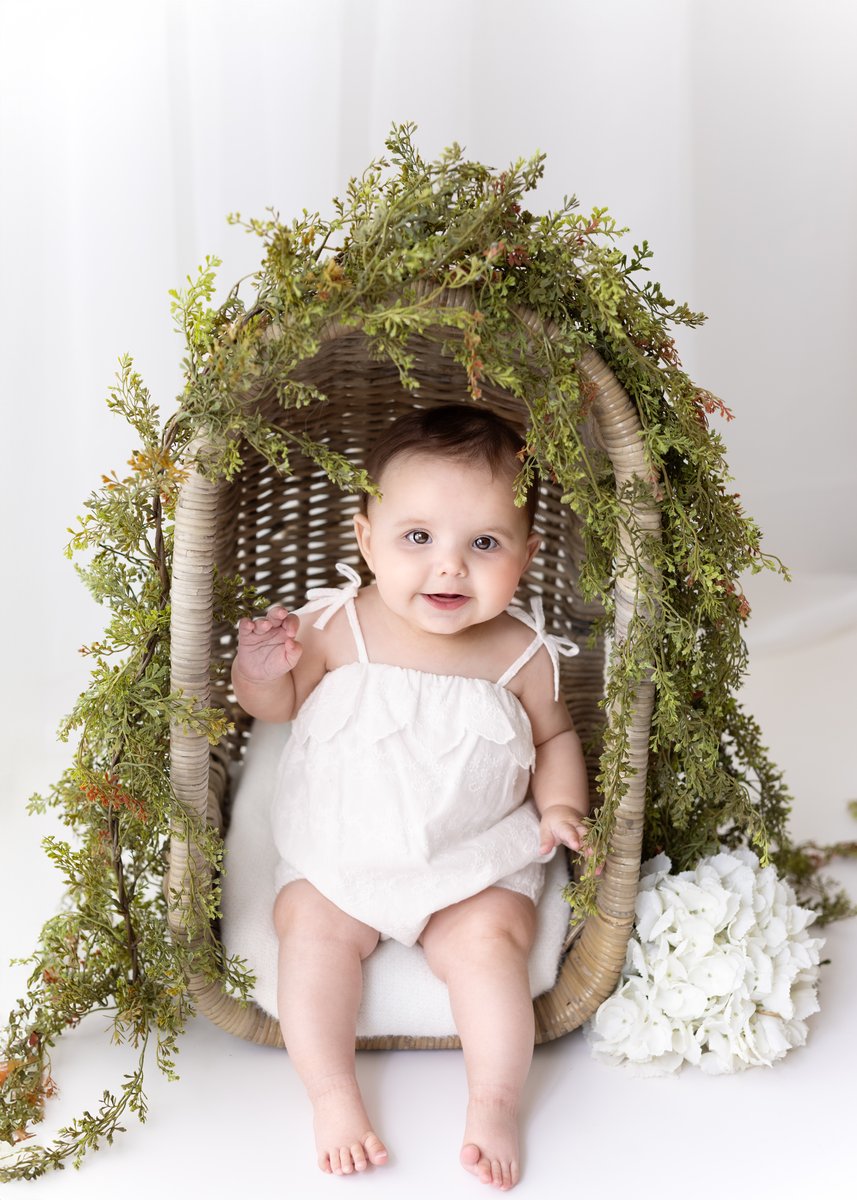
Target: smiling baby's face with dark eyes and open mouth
{"type": "Point", "coordinates": [447, 543]}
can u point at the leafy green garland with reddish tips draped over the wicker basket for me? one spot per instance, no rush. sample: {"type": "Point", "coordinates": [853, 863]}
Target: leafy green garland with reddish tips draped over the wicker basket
{"type": "Point", "coordinates": [405, 231]}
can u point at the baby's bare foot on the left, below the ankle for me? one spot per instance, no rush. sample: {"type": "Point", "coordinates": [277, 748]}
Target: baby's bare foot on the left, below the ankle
{"type": "Point", "coordinates": [344, 1138]}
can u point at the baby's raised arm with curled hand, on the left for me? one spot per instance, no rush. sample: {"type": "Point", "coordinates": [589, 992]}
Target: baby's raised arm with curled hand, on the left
{"type": "Point", "coordinates": [273, 673]}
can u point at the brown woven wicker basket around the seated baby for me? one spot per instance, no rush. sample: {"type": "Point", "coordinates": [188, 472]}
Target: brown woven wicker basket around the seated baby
{"type": "Point", "coordinates": [285, 537]}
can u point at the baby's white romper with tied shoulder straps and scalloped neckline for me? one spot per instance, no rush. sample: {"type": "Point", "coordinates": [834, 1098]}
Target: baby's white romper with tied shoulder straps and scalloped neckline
{"type": "Point", "coordinates": [400, 793]}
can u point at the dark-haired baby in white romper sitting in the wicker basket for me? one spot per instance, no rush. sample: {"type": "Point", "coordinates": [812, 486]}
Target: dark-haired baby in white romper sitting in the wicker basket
{"type": "Point", "coordinates": [427, 712]}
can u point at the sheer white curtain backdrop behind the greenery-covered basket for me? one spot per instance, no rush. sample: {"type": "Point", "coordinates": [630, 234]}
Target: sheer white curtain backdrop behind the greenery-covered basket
{"type": "Point", "coordinates": [722, 131]}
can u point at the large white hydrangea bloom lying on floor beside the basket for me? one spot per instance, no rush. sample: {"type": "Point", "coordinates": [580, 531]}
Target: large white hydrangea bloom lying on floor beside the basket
{"type": "Point", "coordinates": [721, 971]}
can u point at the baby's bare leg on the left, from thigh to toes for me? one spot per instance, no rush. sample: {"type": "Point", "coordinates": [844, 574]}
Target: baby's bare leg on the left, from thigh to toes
{"type": "Point", "coordinates": [320, 987]}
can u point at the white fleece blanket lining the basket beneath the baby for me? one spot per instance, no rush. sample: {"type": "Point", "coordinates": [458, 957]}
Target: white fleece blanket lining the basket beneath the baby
{"type": "Point", "coordinates": [401, 997]}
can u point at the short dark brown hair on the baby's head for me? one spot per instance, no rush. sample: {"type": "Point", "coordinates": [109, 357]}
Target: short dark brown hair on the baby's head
{"type": "Point", "coordinates": [453, 431]}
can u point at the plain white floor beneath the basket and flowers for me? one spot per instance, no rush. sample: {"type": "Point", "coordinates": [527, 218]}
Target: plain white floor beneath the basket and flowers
{"type": "Point", "coordinates": [238, 1123]}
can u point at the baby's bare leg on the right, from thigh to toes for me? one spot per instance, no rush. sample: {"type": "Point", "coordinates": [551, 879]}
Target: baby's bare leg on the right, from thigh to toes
{"type": "Point", "coordinates": [481, 949]}
